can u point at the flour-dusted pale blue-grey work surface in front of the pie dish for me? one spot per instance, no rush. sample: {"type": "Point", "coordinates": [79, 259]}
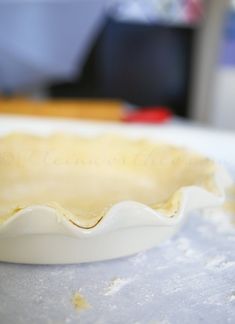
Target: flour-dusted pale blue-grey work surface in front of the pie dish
{"type": "Point", "coordinates": [189, 279]}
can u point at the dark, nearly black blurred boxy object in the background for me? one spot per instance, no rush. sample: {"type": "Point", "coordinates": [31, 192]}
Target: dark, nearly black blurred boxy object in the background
{"type": "Point", "coordinates": [145, 64]}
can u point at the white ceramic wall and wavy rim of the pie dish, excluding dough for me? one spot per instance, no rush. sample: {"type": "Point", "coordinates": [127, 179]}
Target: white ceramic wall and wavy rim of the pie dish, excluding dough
{"type": "Point", "coordinates": [39, 234]}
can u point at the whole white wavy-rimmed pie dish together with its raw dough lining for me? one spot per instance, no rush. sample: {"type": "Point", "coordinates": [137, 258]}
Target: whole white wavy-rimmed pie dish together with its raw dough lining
{"type": "Point", "coordinates": [66, 198]}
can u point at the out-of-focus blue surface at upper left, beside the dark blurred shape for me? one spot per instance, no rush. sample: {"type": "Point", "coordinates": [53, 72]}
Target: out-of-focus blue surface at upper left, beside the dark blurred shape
{"type": "Point", "coordinates": [42, 41]}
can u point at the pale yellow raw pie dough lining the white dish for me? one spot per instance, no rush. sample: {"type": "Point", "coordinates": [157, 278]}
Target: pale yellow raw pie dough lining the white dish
{"type": "Point", "coordinates": [83, 177]}
